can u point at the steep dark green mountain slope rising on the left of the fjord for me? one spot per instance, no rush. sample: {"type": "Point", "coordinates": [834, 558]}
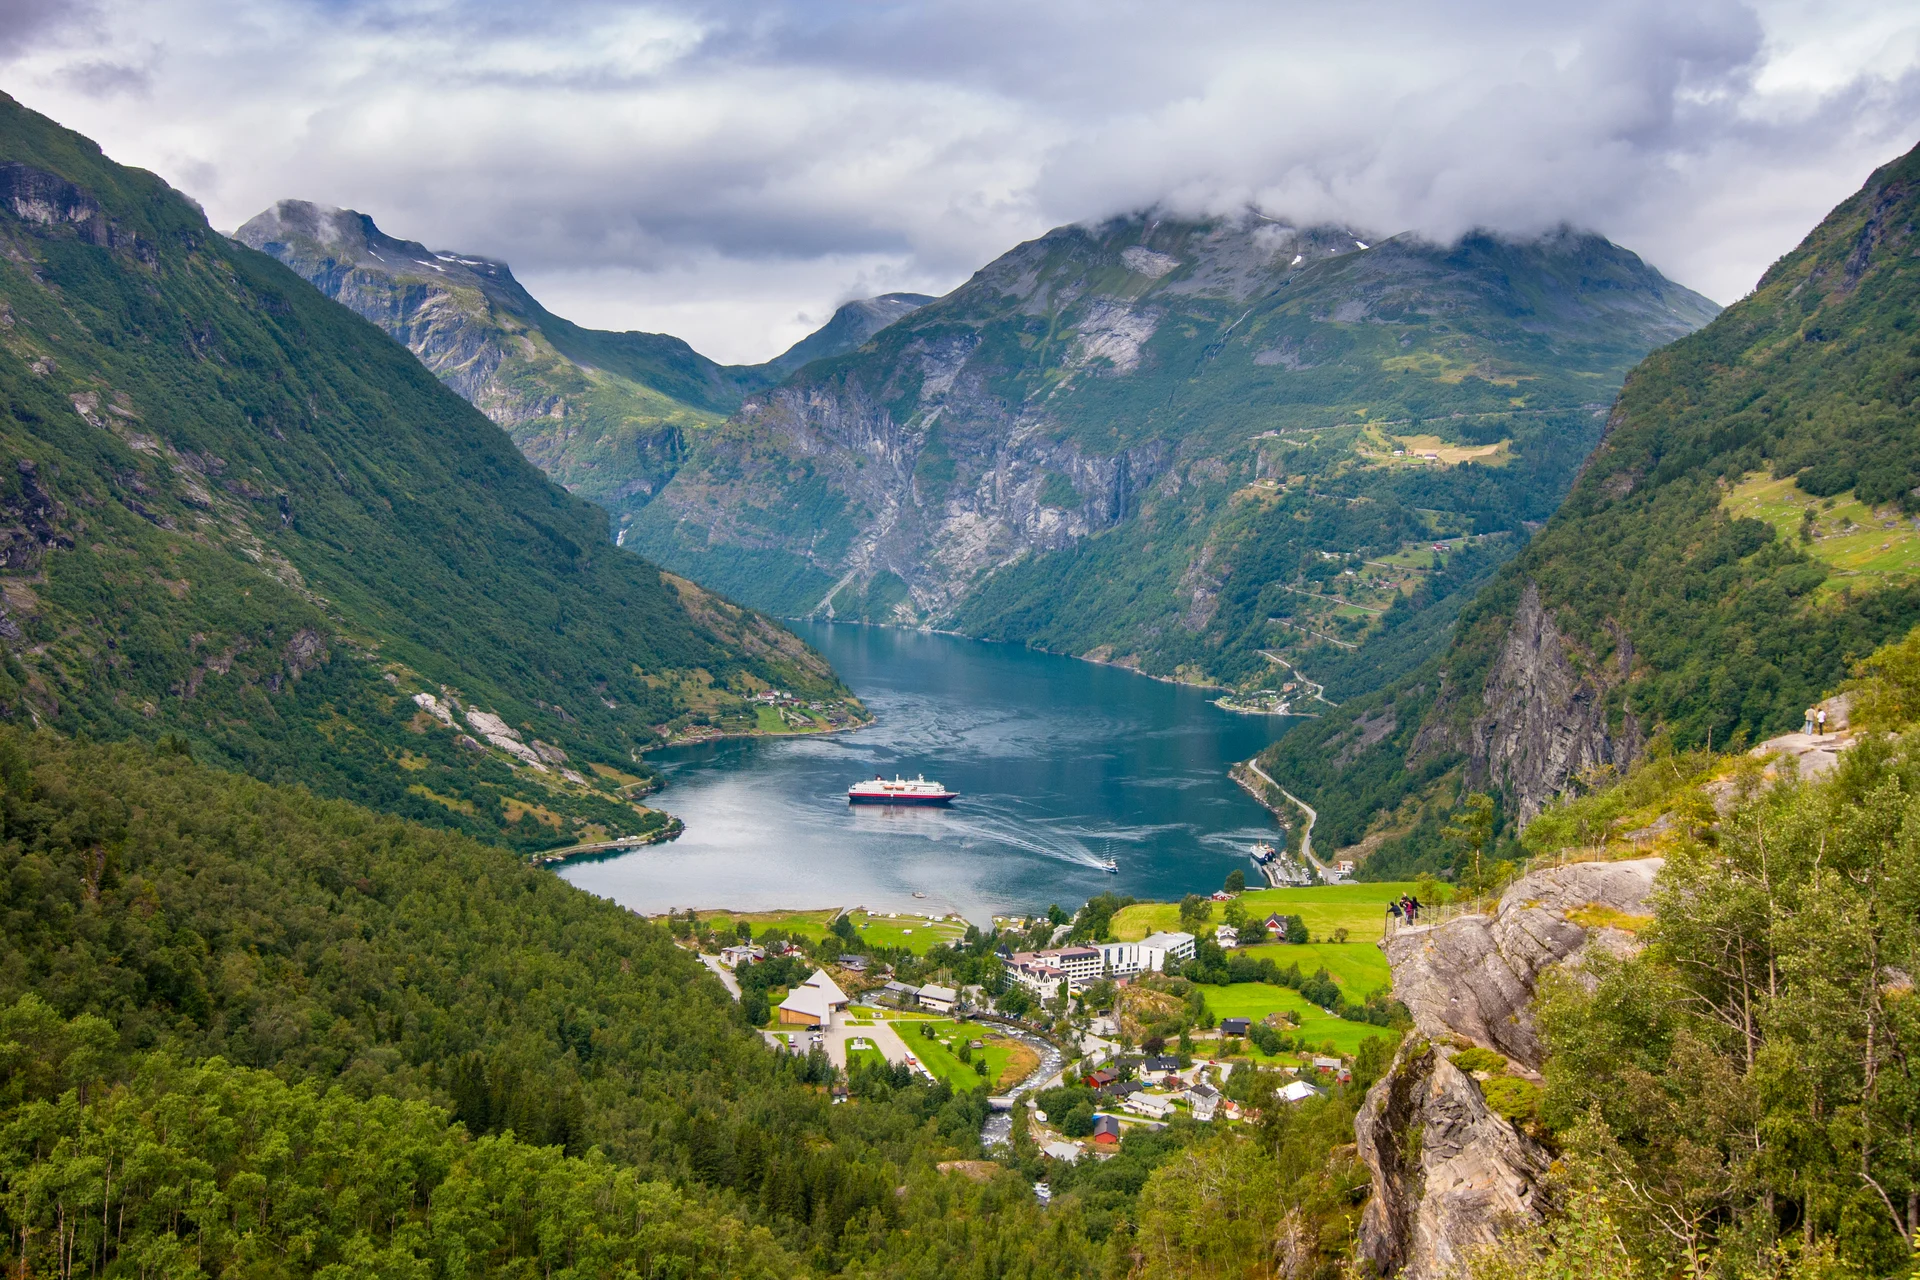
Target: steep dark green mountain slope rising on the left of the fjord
{"type": "Point", "coordinates": [239, 517]}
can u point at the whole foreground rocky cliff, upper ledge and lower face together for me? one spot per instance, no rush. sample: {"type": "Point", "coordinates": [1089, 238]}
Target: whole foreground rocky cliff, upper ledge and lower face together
{"type": "Point", "coordinates": [1449, 1170]}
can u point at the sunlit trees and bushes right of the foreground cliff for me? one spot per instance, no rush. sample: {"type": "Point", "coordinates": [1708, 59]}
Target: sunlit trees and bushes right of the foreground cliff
{"type": "Point", "coordinates": [1733, 1099]}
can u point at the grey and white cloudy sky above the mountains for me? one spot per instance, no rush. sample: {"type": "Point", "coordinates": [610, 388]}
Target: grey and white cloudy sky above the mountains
{"type": "Point", "coordinates": [729, 172]}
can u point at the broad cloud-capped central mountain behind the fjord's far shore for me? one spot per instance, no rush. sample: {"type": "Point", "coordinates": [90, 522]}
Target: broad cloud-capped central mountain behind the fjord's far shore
{"type": "Point", "coordinates": [1149, 440]}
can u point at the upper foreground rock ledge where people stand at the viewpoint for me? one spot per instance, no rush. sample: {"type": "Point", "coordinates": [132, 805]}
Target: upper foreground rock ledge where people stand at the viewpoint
{"type": "Point", "coordinates": [1476, 976]}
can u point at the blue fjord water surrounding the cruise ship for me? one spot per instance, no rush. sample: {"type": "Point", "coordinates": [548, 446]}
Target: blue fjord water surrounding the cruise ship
{"type": "Point", "coordinates": [1059, 765]}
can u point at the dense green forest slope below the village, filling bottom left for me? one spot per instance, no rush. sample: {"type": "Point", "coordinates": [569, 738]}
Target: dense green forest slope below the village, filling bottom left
{"type": "Point", "coordinates": [251, 1031]}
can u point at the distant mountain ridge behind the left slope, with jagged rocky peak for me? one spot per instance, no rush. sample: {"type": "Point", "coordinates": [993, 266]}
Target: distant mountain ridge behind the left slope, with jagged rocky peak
{"type": "Point", "coordinates": [606, 414]}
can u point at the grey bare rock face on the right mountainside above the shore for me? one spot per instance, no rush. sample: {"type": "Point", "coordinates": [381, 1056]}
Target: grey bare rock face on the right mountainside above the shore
{"type": "Point", "coordinates": [1547, 715]}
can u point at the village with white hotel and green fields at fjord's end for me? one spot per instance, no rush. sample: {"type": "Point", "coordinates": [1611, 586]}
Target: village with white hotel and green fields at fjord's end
{"type": "Point", "coordinates": [1172, 1018]}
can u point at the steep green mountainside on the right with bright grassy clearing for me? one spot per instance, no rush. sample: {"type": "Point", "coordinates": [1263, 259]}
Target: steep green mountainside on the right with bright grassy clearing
{"type": "Point", "coordinates": [1744, 533]}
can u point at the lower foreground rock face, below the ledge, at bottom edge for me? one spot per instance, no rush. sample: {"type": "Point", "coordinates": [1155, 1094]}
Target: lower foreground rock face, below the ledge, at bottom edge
{"type": "Point", "coordinates": [1449, 1173]}
